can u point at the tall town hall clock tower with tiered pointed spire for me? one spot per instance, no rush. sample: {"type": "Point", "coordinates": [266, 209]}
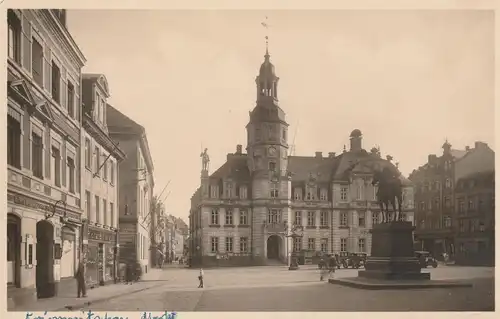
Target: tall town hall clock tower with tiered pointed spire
{"type": "Point", "coordinates": [267, 149]}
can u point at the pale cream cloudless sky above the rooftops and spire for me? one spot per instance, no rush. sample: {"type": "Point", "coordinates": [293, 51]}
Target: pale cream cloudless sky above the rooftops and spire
{"type": "Point", "coordinates": [408, 80]}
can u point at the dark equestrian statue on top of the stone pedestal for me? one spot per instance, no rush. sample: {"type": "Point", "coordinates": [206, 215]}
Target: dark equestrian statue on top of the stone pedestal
{"type": "Point", "coordinates": [390, 190]}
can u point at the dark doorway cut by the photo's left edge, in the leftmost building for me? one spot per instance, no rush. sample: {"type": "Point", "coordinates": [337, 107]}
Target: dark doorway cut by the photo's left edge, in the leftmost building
{"type": "Point", "coordinates": [13, 249]}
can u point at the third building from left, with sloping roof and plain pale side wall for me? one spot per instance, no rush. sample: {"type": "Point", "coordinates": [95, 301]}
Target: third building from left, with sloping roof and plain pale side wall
{"type": "Point", "coordinates": [136, 185]}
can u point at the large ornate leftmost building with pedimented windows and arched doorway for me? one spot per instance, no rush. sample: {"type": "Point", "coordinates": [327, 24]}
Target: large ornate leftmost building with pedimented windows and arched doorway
{"type": "Point", "coordinates": [43, 153]}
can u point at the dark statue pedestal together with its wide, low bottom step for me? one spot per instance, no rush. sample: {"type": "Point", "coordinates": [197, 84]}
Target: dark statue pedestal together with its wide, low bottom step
{"type": "Point", "coordinates": [392, 264]}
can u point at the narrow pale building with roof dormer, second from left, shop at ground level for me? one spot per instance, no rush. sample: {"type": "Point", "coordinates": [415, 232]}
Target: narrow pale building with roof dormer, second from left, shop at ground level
{"type": "Point", "coordinates": [101, 157]}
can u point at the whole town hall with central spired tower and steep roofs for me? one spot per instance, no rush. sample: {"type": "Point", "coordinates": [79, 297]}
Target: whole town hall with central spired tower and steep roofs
{"type": "Point", "coordinates": [242, 213]}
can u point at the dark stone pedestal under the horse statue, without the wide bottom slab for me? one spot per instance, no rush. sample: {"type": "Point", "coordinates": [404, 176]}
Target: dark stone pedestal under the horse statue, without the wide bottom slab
{"type": "Point", "coordinates": [392, 256]}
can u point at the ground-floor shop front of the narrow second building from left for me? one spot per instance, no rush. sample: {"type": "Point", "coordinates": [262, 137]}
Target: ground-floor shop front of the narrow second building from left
{"type": "Point", "coordinates": [100, 256]}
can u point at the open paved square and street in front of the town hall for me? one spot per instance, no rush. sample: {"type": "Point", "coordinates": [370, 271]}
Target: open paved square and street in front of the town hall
{"type": "Point", "coordinates": [277, 289]}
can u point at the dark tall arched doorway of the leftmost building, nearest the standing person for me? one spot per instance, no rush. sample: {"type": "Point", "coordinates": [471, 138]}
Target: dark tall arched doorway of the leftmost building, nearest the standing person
{"type": "Point", "coordinates": [45, 286]}
